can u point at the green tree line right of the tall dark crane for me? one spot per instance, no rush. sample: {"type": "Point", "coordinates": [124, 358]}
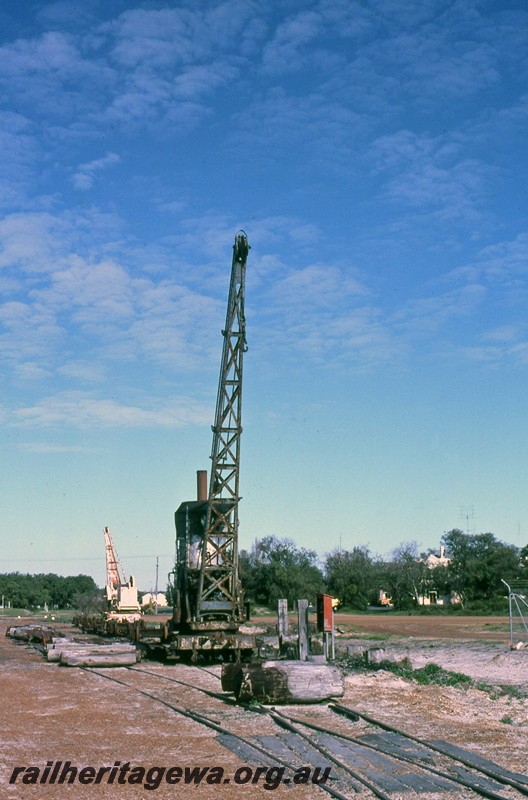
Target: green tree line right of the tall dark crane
{"type": "Point", "coordinates": [470, 576]}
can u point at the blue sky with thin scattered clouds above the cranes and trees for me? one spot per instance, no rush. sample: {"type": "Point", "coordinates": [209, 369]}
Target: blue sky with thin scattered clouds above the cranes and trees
{"type": "Point", "coordinates": [375, 153]}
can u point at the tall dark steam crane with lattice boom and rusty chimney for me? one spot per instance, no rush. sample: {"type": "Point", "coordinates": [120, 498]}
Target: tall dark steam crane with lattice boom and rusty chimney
{"type": "Point", "coordinates": [208, 607]}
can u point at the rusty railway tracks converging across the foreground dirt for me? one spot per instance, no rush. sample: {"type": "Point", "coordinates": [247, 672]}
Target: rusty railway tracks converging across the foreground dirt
{"type": "Point", "coordinates": [356, 753]}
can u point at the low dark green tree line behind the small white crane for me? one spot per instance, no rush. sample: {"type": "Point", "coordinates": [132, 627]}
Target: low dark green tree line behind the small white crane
{"type": "Point", "coordinates": [35, 591]}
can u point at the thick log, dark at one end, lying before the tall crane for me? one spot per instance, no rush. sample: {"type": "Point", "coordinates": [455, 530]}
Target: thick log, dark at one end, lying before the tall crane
{"type": "Point", "coordinates": [283, 682]}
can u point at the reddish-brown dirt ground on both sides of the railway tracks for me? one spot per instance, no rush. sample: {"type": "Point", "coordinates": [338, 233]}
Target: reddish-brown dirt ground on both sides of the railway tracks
{"type": "Point", "coordinates": [52, 713]}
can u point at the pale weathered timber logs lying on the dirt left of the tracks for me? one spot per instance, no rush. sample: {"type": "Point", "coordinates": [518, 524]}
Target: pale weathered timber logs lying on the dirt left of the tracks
{"type": "Point", "coordinates": [70, 653]}
